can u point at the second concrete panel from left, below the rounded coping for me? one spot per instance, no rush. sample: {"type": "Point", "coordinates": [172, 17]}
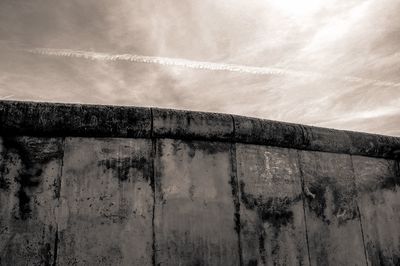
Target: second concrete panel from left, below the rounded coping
{"type": "Point", "coordinates": [107, 202]}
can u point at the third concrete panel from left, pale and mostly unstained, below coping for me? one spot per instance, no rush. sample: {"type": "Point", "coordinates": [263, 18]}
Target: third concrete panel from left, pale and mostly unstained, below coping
{"type": "Point", "coordinates": [194, 211]}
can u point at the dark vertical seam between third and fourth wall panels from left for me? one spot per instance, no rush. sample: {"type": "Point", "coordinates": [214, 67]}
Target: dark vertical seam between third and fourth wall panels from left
{"type": "Point", "coordinates": [235, 192]}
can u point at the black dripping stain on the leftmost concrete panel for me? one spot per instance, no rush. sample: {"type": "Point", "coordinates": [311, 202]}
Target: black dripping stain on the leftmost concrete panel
{"type": "Point", "coordinates": [34, 155]}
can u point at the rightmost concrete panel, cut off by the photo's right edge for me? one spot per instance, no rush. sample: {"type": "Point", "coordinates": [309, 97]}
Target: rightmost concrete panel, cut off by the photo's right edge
{"type": "Point", "coordinates": [378, 184]}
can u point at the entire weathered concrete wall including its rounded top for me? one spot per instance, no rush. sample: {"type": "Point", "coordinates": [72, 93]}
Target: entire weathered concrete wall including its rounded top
{"type": "Point", "coordinates": [103, 185]}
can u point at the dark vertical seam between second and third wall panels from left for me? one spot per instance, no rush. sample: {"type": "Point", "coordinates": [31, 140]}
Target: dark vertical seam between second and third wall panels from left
{"type": "Point", "coordinates": [153, 187]}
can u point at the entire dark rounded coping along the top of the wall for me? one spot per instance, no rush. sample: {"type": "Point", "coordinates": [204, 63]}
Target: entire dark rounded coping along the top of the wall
{"type": "Point", "coordinates": [55, 119]}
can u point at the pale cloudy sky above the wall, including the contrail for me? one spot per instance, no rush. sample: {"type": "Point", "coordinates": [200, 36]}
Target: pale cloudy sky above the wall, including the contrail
{"type": "Point", "coordinates": [328, 63]}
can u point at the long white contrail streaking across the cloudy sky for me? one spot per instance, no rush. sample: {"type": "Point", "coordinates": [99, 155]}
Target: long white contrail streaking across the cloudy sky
{"type": "Point", "coordinates": [180, 62]}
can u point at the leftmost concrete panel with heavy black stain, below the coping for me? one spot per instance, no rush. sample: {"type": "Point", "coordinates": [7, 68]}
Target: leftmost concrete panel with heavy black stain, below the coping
{"type": "Point", "coordinates": [29, 176]}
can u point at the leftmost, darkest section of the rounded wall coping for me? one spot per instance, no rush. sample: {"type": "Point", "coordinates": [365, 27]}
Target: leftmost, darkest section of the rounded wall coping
{"type": "Point", "coordinates": [52, 119]}
